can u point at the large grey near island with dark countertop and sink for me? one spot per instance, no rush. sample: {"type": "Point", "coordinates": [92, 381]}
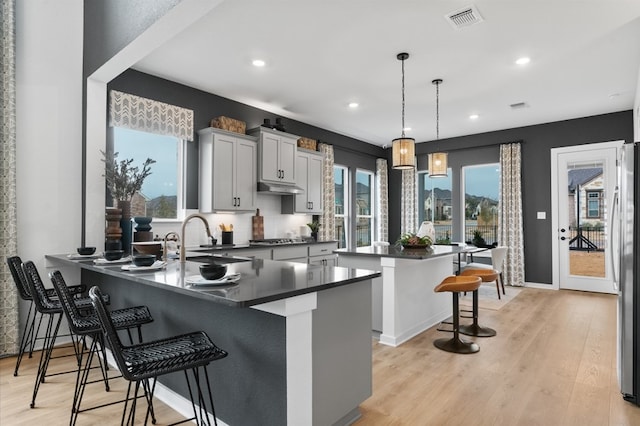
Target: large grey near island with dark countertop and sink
{"type": "Point", "coordinates": [298, 335]}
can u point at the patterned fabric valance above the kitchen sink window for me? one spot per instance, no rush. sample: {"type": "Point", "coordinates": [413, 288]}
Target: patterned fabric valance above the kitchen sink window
{"type": "Point", "coordinates": [147, 115]}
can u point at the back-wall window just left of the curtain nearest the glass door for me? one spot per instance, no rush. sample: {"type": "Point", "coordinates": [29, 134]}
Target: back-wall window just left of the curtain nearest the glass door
{"type": "Point", "coordinates": [481, 205]}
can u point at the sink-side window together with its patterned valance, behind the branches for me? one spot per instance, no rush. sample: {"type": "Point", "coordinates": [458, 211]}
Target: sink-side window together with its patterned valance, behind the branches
{"type": "Point", "coordinates": [144, 128]}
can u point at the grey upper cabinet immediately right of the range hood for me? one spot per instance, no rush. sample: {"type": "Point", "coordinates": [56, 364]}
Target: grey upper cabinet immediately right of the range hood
{"type": "Point", "coordinates": [309, 178]}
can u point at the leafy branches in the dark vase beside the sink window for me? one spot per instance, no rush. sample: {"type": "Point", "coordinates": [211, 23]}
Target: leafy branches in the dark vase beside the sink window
{"type": "Point", "coordinates": [123, 181]}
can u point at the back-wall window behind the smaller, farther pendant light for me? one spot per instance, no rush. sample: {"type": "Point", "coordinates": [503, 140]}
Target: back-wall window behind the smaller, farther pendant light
{"type": "Point", "coordinates": [434, 204]}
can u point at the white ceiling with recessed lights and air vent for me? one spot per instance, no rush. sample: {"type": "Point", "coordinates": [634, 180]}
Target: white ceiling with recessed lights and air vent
{"type": "Point", "coordinates": [322, 55]}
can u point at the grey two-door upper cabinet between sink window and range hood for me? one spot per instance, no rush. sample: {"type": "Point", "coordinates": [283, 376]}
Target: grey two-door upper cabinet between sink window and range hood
{"type": "Point", "coordinates": [228, 164]}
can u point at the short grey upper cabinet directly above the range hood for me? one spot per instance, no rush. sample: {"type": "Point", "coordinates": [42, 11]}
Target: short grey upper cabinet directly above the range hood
{"type": "Point", "coordinates": [276, 155]}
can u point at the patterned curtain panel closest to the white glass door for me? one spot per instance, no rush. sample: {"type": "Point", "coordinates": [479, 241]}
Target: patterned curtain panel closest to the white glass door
{"type": "Point", "coordinates": [510, 226]}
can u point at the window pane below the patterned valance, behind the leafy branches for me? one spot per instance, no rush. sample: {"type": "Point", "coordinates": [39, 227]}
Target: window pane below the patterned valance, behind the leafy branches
{"type": "Point", "coordinates": [162, 191]}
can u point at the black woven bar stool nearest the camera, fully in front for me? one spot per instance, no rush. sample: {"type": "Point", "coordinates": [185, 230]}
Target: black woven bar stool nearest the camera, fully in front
{"type": "Point", "coordinates": [141, 362]}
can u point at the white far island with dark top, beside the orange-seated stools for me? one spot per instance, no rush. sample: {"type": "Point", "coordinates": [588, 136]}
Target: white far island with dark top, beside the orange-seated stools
{"type": "Point", "coordinates": [404, 303]}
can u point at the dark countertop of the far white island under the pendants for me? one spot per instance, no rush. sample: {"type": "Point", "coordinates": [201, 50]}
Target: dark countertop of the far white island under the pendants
{"type": "Point", "coordinates": [400, 253]}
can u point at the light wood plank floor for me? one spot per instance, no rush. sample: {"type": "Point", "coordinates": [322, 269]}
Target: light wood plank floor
{"type": "Point", "coordinates": [552, 363]}
